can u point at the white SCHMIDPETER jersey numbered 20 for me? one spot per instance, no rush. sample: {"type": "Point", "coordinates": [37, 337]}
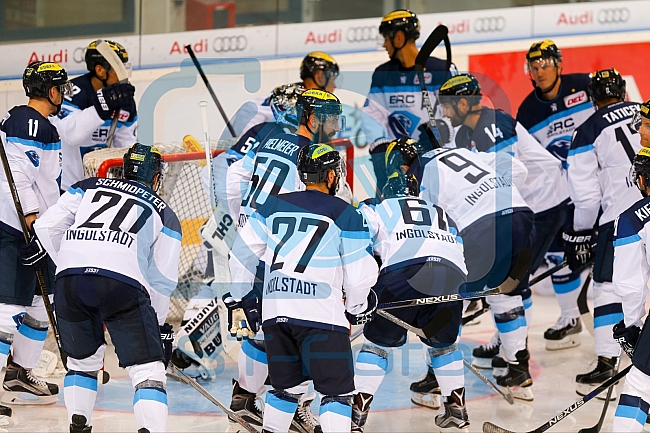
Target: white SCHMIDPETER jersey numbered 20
{"type": "Point", "coordinates": [115, 228]}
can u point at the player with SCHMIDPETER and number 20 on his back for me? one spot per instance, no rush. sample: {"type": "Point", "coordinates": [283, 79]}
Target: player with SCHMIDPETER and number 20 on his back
{"type": "Point", "coordinates": [126, 220]}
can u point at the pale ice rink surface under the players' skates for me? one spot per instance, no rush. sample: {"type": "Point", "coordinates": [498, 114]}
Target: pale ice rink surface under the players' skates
{"type": "Point", "coordinates": [391, 411]}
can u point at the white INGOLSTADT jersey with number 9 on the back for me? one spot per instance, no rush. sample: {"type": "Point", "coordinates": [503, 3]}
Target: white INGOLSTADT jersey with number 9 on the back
{"type": "Point", "coordinates": [466, 186]}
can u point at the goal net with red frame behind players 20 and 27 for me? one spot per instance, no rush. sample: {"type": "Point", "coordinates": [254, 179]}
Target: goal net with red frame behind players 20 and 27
{"type": "Point", "coordinates": [182, 189]}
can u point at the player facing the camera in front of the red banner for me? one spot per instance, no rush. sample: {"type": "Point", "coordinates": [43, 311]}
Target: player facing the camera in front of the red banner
{"type": "Point", "coordinates": [558, 104]}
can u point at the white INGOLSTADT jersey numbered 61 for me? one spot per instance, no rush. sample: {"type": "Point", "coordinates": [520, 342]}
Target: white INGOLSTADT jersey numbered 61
{"type": "Point", "coordinates": [408, 230]}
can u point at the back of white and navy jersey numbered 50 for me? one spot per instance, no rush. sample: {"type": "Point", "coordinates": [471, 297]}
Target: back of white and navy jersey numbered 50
{"type": "Point", "coordinates": [273, 171]}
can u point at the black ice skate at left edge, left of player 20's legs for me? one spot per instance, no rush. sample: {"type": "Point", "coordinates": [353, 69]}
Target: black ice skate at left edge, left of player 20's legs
{"type": "Point", "coordinates": [23, 387]}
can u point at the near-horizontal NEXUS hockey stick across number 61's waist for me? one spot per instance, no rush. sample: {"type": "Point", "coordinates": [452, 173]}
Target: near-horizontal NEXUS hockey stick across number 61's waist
{"type": "Point", "coordinates": [517, 274]}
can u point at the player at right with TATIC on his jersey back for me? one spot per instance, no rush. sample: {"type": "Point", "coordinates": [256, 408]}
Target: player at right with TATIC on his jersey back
{"type": "Point", "coordinates": [600, 159]}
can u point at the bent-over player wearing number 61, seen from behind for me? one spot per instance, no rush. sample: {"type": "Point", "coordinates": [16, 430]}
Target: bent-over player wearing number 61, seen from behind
{"type": "Point", "coordinates": [434, 257]}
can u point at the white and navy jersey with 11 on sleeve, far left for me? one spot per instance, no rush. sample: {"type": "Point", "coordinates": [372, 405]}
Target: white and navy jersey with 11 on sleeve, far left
{"type": "Point", "coordinates": [33, 150]}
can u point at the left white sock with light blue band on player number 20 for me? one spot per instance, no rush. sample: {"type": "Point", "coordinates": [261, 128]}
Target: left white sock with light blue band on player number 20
{"type": "Point", "coordinates": [80, 392]}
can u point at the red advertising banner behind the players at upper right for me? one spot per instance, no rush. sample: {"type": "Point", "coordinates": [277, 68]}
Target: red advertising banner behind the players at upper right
{"type": "Point", "coordinates": [506, 70]}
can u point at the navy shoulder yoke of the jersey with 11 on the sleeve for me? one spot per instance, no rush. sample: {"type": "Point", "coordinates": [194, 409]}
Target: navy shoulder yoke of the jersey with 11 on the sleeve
{"type": "Point", "coordinates": [27, 126]}
